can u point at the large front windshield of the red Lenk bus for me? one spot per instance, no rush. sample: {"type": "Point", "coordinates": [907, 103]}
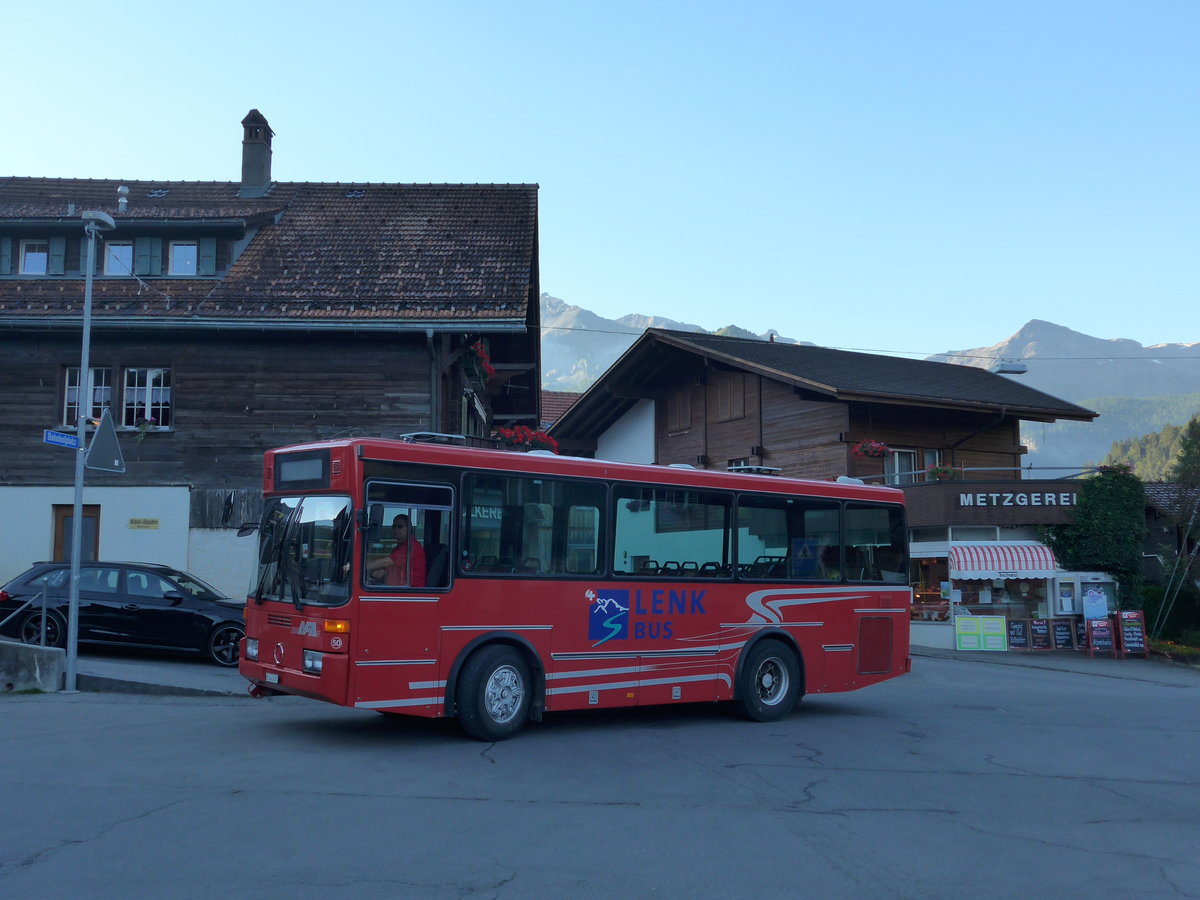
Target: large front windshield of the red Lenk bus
{"type": "Point", "coordinates": [305, 551]}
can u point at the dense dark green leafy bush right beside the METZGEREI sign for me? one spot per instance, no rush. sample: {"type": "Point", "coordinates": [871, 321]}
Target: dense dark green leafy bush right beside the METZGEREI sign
{"type": "Point", "coordinates": [1107, 532]}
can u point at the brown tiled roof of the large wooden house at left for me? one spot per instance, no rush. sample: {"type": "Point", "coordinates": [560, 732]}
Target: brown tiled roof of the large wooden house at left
{"type": "Point", "coordinates": [339, 251]}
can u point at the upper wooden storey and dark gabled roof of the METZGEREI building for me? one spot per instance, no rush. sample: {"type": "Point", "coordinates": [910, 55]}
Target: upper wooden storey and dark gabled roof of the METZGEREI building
{"type": "Point", "coordinates": [802, 411]}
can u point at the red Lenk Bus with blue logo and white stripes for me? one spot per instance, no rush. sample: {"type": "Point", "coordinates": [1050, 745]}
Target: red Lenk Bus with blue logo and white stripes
{"type": "Point", "coordinates": [440, 580]}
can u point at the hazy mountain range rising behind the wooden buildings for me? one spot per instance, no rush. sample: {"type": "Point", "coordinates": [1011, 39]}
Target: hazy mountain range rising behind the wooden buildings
{"type": "Point", "coordinates": [1135, 388]}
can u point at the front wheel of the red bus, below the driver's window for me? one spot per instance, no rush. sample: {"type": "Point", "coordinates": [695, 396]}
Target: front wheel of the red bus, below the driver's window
{"type": "Point", "coordinates": [494, 694]}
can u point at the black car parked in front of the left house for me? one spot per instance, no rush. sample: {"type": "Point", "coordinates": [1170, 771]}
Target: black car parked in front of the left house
{"type": "Point", "coordinates": [131, 604]}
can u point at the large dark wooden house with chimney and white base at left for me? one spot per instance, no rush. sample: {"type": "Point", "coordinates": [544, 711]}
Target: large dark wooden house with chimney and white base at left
{"type": "Point", "coordinates": [233, 317]}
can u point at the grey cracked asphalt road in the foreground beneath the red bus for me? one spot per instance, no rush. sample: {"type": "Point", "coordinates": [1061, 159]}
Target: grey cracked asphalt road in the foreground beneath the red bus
{"type": "Point", "coordinates": [965, 779]}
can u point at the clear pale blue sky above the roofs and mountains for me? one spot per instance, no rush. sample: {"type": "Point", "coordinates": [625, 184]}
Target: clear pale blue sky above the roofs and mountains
{"type": "Point", "coordinates": [904, 177]}
